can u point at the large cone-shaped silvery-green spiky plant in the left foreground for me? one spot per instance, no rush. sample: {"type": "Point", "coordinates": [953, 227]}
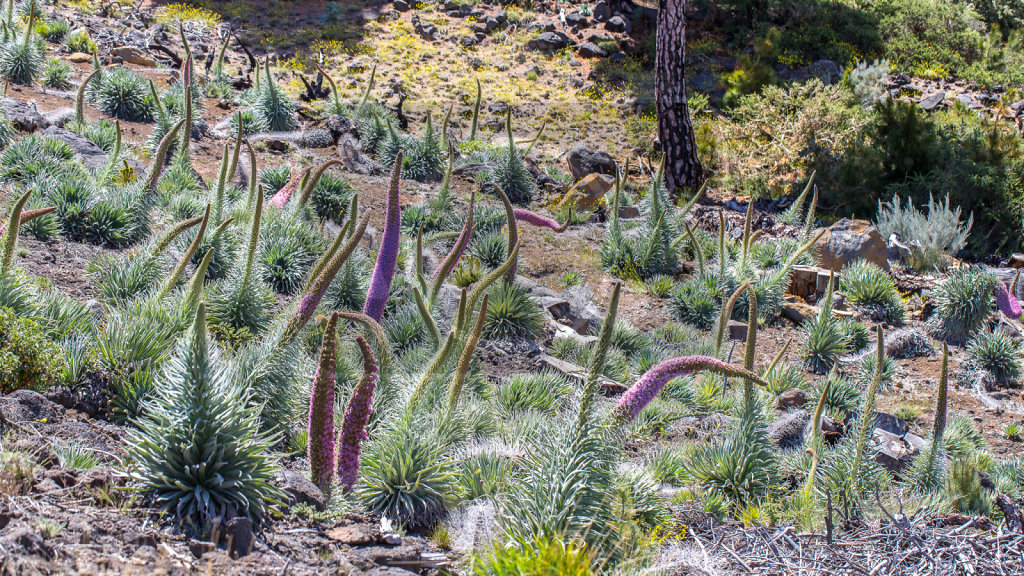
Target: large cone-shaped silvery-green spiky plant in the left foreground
{"type": "Point", "coordinates": [199, 447]}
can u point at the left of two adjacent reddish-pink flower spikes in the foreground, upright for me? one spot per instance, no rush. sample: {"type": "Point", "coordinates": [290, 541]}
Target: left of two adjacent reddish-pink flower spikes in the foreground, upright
{"type": "Point", "coordinates": [320, 447]}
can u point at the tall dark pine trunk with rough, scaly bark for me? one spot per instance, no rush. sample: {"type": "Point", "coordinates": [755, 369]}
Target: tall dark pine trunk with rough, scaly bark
{"type": "Point", "coordinates": [682, 168]}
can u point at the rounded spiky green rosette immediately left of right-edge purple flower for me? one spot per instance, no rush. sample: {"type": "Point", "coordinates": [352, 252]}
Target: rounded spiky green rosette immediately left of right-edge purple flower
{"type": "Point", "coordinates": [963, 305]}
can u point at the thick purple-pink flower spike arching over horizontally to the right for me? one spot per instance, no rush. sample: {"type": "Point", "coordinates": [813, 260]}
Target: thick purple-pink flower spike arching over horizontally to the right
{"type": "Point", "coordinates": [638, 397]}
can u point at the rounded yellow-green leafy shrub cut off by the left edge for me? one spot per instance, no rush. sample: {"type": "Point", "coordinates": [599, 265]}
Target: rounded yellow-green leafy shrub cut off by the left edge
{"type": "Point", "coordinates": [28, 359]}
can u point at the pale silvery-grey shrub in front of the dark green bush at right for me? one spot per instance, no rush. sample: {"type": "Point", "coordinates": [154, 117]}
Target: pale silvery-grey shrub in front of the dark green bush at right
{"type": "Point", "coordinates": [931, 238]}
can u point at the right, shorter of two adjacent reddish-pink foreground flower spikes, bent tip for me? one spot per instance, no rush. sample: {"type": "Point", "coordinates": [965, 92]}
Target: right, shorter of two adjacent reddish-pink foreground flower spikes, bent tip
{"type": "Point", "coordinates": [354, 428]}
